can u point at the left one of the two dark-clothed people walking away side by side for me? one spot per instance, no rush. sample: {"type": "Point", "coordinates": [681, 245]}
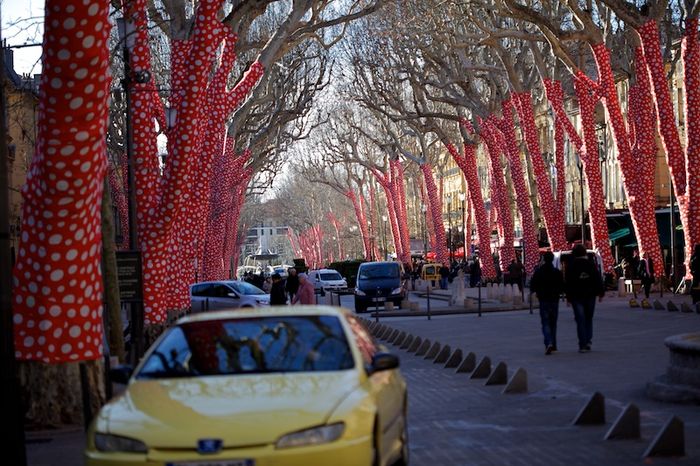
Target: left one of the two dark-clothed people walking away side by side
{"type": "Point", "coordinates": [548, 283]}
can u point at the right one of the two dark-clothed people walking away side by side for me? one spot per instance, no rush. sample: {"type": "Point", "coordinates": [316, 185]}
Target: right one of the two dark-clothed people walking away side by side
{"type": "Point", "coordinates": [583, 283]}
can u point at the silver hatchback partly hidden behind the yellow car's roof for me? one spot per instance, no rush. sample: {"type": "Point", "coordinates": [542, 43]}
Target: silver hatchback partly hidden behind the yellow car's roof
{"type": "Point", "coordinates": [226, 294]}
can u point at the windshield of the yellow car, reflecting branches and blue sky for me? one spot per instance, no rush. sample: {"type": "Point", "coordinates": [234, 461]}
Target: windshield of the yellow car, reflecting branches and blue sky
{"type": "Point", "coordinates": [250, 346]}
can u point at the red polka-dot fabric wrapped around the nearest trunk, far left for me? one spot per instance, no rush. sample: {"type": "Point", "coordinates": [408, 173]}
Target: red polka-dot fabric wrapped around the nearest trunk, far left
{"type": "Point", "coordinates": [57, 282]}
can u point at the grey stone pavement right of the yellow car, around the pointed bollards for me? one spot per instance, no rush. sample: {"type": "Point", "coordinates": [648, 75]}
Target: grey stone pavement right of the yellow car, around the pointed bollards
{"type": "Point", "coordinates": [455, 420]}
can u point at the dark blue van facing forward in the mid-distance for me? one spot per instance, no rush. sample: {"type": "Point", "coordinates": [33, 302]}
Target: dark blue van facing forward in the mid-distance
{"type": "Point", "coordinates": [378, 282]}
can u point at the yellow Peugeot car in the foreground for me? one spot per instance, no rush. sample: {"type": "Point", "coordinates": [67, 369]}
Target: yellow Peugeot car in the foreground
{"type": "Point", "coordinates": [261, 387]}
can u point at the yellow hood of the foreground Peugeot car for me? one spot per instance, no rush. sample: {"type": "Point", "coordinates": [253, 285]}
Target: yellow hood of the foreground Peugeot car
{"type": "Point", "coordinates": [240, 410]}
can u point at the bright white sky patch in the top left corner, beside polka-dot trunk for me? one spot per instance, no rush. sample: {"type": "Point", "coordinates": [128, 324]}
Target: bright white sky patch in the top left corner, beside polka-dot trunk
{"type": "Point", "coordinates": [22, 23]}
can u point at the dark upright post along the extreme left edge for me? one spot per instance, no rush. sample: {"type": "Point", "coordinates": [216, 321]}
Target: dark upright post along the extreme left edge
{"type": "Point", "coordinates": [12, 419]}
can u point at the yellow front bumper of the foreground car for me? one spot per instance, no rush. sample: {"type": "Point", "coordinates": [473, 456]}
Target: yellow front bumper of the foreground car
{"type": "Point", "coordinates": [355, 452]}
